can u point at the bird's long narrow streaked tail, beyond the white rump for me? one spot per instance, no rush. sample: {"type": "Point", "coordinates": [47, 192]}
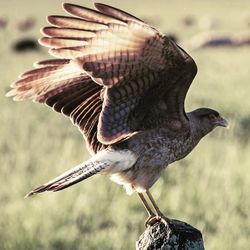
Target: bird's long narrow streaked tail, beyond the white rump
{"type": "Point", "coordinates": [74, 175]}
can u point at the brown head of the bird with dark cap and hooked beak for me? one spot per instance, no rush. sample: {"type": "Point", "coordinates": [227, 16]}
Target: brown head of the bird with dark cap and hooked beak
{"type": "Point", "coordinates": [207, 119]}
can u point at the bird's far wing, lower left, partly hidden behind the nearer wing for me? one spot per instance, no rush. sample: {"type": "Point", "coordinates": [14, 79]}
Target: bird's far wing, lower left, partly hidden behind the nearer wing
{"type": "Point", "coordinates": [68, 90]}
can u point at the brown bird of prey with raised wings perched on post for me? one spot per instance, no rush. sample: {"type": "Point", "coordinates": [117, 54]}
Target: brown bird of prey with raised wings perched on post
{"type": "Point", "coordinates": [123, 83]}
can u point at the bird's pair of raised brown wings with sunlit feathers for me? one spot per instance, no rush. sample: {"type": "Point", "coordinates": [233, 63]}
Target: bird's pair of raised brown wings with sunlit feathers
{"type": "Point", "coordinates": [111, 68]}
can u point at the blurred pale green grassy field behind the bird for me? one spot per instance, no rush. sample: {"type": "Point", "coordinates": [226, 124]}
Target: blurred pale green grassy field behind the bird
{"type": "Point", "coordinates": [209, 189]}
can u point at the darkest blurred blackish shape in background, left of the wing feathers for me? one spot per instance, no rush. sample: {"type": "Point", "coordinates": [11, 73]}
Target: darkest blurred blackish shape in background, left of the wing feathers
{"type": "Point", "coordinates": [25, 44]}
